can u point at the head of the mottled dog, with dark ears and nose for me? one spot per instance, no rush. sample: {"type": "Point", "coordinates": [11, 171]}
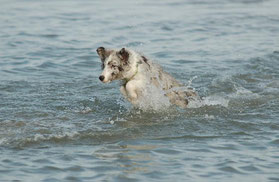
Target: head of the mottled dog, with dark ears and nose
{"type": "Point", "coordinates": [114, 64]}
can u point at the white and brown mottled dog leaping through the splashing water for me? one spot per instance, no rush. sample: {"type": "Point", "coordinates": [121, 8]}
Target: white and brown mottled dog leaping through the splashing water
{"type": "Point", "coordinates": [137, 73]}
